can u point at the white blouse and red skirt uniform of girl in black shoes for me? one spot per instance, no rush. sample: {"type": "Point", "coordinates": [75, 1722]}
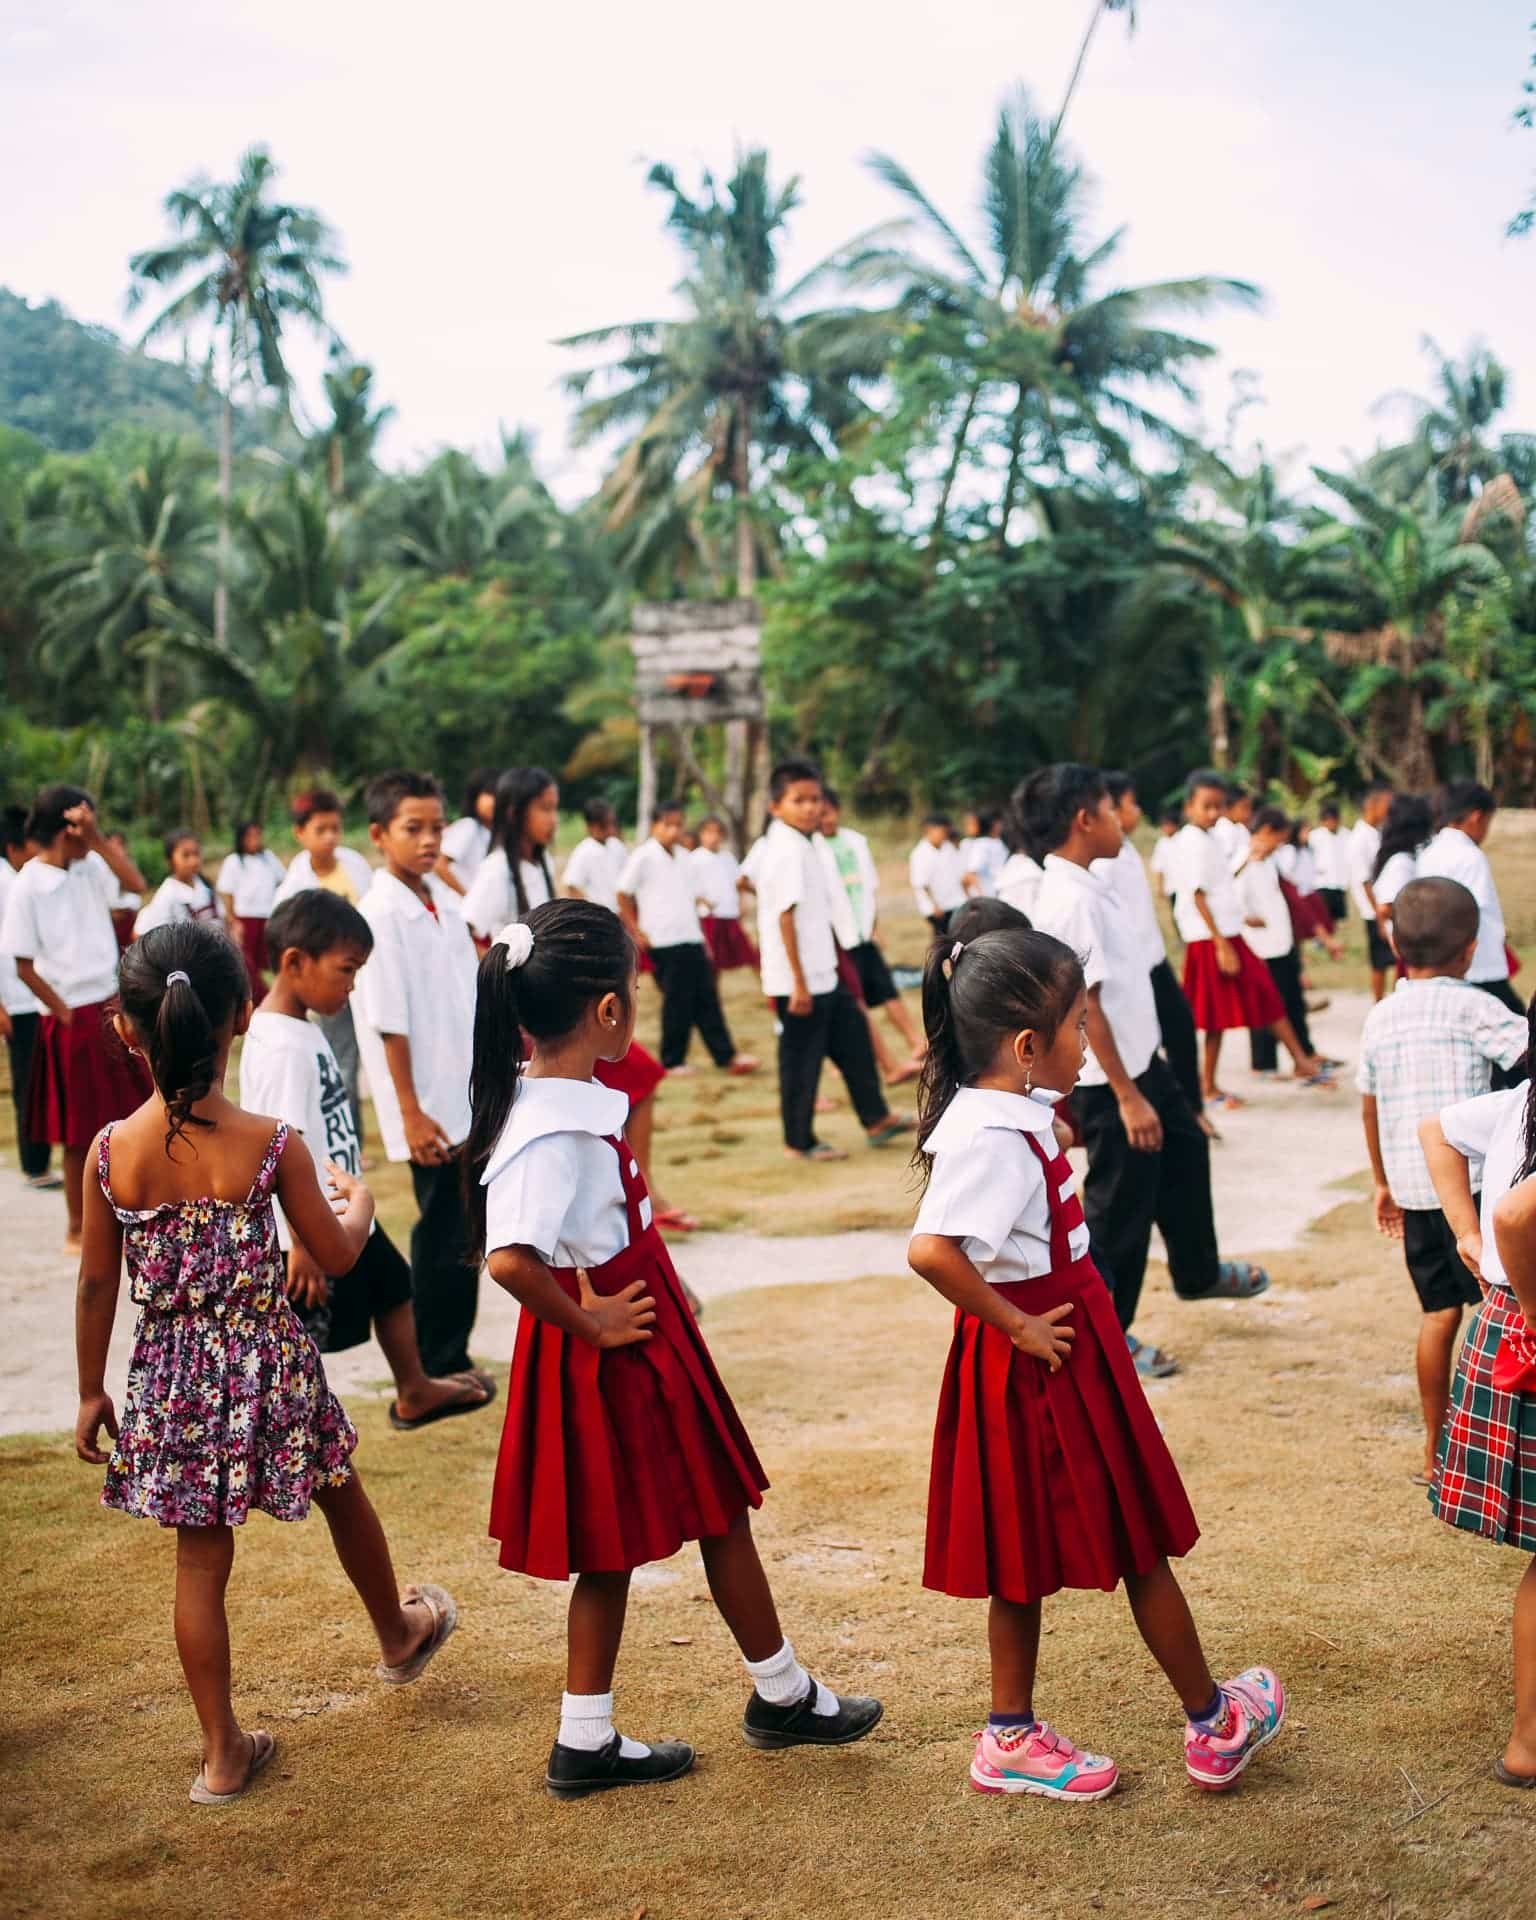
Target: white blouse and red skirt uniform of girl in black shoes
{"type": "Point", "coordinates": [612, 1458]}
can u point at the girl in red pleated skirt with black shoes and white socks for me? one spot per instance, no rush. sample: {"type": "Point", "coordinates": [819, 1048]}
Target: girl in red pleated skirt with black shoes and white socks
{"type": "Point", "coordinates": [621, 1441]}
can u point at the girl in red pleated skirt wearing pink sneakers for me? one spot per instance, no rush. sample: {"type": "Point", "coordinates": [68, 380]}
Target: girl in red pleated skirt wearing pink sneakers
{"type": "Point", "coordinates": [1049, 1470]}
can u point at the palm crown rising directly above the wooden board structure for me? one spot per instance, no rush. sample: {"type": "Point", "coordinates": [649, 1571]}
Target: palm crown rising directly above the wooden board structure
{"type": "Point", "coordinates": [715, 400]}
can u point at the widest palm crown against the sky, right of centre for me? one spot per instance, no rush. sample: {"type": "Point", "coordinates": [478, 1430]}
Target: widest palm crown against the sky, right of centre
{"type": "Point", "coordinates": [1017, 320]}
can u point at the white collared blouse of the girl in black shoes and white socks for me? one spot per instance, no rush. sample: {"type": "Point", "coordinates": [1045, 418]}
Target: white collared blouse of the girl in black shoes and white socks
{"type": "Point", "coordinates": [554, 1180]}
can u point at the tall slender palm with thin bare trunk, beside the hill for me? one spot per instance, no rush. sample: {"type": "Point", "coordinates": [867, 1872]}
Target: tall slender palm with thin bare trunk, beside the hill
{"type": "Point", "coordinates": [245, 266]}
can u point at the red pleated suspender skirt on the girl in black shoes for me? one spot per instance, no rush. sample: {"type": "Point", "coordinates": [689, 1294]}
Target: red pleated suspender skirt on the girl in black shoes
{"type": "Point", "coordinates": [615, 1458]}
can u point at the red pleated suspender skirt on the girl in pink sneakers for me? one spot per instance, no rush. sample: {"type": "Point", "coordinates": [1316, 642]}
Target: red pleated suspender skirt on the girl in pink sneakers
{"type": "Point", "coordinates": [1049, 1479]}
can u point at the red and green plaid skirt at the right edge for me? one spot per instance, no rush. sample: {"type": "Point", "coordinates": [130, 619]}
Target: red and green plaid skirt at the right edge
{"type": "Point", "coordinates": [1485, 1481]}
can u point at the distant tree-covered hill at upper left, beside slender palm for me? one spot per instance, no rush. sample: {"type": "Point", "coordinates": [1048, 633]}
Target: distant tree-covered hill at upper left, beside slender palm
{"type": "Point", "coordinates": [68, 383]}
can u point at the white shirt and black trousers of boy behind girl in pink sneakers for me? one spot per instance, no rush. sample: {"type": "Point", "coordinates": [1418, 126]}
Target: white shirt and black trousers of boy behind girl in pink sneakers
{"type": "Point", "coordinates": [1126, 1189]}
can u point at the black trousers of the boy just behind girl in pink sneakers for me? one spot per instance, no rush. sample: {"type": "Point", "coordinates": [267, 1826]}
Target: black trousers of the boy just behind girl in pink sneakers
{"type": "Point", "coordinates": [1128, 1191]}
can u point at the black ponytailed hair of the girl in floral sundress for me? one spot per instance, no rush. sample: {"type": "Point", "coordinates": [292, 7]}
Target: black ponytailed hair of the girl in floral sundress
{"type": "Point", "coordinates": [180, 1022]}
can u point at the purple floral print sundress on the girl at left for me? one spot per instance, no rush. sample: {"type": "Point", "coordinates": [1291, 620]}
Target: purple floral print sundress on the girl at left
{"type": "Point", "coordinates": [228, 1404]}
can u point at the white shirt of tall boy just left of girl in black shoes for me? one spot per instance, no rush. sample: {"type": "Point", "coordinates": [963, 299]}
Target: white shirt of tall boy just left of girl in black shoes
{"type": "Point", "coordinates": [420, 980]}
